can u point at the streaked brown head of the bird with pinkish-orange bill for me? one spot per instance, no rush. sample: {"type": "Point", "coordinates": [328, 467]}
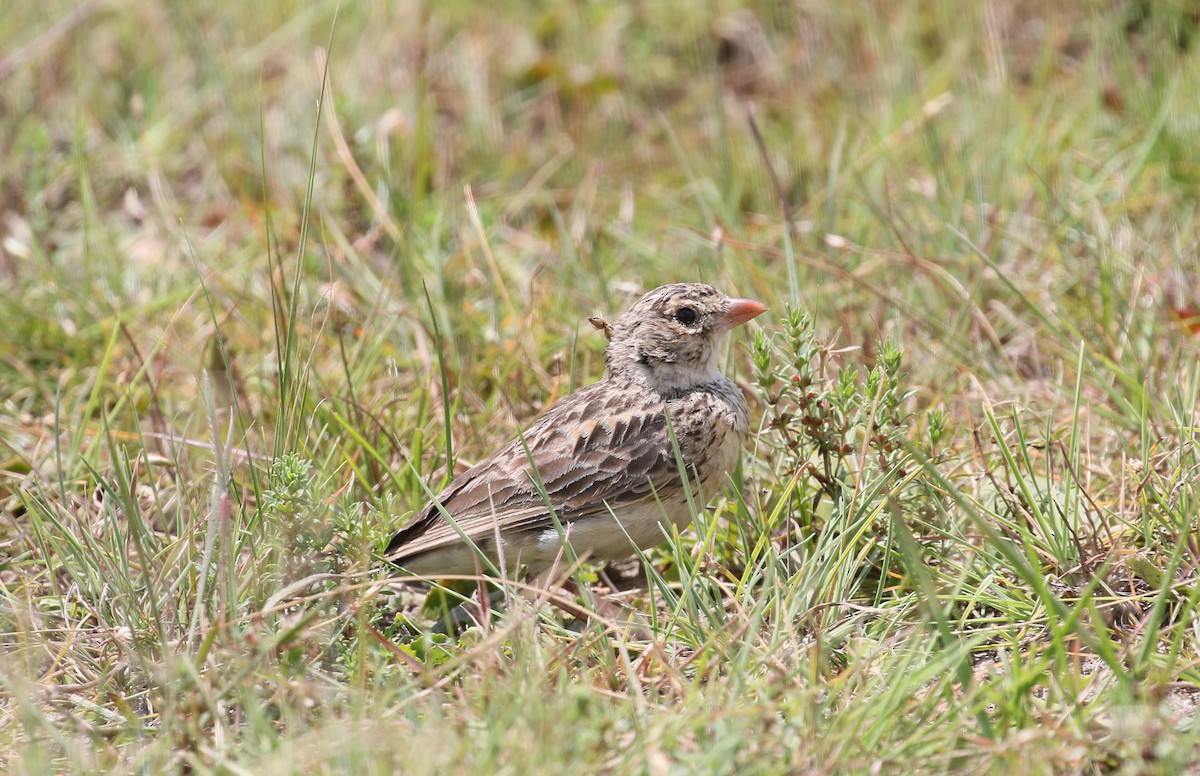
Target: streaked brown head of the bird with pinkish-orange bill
{"type": "Point", "coordinates": [671, 336]}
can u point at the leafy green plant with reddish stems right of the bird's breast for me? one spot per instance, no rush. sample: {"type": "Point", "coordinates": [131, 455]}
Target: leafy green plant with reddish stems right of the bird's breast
{"type": "Point", "coordinates": [839, 442]}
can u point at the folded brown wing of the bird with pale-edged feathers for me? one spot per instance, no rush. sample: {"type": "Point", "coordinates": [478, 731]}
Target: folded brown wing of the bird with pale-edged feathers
{"type": "Point", "coordinates": [595, 450]}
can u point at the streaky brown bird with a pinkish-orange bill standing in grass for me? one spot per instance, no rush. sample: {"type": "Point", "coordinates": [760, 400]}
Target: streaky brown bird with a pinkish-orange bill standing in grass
{"type": "Point", "coordinates": [599, 470]}
